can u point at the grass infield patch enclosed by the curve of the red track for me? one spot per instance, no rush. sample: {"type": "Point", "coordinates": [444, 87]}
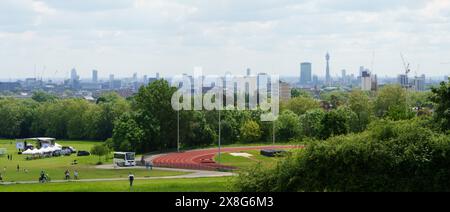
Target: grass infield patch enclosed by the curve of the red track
{"type": "Point", "coordinates": [243, 162]}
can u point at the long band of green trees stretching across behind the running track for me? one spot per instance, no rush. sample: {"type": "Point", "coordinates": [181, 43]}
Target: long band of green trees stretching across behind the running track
{"type": "Point", "coordinates": [146, 122]}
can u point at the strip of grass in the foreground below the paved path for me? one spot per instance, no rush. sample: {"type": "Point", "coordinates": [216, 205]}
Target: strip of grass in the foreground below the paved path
{"type": "Point", "coordinates": [161, 185]}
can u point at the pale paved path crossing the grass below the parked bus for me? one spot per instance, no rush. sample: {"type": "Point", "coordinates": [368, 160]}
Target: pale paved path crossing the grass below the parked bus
{"type": "Point", "coordinates": [189, 174]}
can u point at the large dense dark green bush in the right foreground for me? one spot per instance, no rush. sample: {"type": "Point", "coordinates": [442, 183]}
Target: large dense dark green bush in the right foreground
{"type": "Point", "coordinates": [390, 156]}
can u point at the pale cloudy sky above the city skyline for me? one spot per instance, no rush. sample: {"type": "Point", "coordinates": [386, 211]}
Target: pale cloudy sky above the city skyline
{"type": "Point", "coordinates": [47, 38]}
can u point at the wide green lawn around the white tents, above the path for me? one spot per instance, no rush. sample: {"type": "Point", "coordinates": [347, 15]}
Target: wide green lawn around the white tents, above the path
{"type": "Point", "coordinates": [56, 166]}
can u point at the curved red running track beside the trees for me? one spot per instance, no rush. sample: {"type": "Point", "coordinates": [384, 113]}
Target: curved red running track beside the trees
{"type": "Point", "coordinates": [203, 159]}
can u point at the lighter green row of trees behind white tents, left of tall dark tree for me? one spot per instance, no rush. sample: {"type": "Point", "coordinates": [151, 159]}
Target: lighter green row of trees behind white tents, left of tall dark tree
{"type": "Point", "coordinates": [47, 115]}
